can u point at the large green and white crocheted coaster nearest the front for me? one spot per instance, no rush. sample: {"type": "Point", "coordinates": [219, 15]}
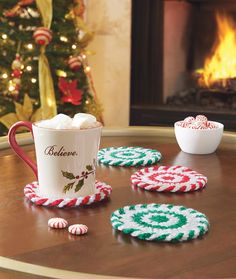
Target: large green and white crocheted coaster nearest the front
{"type": "Point", "coordinates": [160, 222]}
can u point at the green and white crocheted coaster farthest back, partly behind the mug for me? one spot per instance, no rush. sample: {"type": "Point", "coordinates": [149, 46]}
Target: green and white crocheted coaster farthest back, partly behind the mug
{"type": "Point", "coordinates": [128, 156]}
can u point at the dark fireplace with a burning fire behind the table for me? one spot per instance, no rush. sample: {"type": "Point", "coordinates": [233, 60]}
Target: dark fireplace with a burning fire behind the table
{"type": "Point", "coordinates": [183, 61]}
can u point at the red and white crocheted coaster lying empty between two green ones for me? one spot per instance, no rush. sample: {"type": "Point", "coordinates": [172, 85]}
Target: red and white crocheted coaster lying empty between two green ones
{"type": "Point", "coordinates": [169, 179]}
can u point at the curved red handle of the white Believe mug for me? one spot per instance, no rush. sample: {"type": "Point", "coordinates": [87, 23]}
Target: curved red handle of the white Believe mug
{"type": "Point", "coordinates": [16, 147]}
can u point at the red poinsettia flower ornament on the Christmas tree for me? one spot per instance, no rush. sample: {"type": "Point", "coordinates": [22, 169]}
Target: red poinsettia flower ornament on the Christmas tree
{"type": "Point", "coordinates": [70, 93]}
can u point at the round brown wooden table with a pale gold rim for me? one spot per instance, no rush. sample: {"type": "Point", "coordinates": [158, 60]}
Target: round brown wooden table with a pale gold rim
{"type": "Point", "coordinates": [27, 245]}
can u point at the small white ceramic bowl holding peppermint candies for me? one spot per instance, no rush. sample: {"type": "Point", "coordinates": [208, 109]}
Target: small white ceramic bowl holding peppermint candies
{"type": "Point", "coordinates": [196, 141]}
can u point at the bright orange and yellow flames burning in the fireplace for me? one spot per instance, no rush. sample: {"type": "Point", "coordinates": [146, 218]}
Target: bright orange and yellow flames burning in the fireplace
{"type": "Point", "coordinates": [220, 66]}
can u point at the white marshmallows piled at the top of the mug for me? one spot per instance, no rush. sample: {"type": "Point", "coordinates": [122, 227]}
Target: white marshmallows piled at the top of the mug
{"type": "Point", "coordinates": [62, 121]}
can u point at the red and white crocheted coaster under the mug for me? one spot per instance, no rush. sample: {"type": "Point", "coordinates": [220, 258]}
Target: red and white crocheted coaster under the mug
{"type": "Point", "coordinates": [102, 191]}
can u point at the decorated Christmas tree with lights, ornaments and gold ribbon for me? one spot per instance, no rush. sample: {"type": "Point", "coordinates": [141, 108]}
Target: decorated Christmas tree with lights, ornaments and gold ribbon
{"type": "Point", "coordinates": [43, 61]}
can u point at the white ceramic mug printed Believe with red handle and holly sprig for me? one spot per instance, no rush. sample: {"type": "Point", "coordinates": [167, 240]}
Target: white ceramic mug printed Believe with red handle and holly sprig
{"type": "Point", "coordinates": [66, 159]}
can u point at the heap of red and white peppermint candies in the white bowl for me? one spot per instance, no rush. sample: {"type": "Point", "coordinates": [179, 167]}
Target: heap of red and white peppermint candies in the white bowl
{"type": "Point", "coordinates": [200, 122]}
